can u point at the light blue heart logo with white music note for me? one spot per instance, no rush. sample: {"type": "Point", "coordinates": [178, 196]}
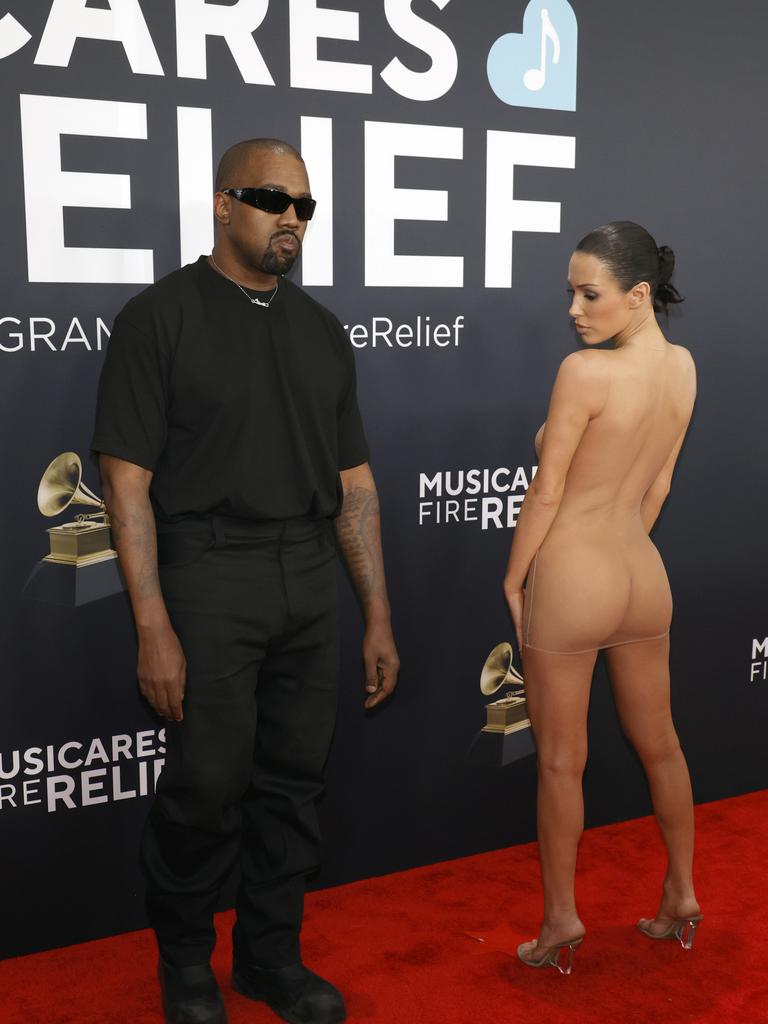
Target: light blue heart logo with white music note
{"type": "Point", "coordinates": [539, 67]}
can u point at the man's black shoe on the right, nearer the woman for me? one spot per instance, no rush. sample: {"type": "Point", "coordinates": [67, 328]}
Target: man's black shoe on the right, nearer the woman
{"type": "Point", "coordinates": [295, 994]}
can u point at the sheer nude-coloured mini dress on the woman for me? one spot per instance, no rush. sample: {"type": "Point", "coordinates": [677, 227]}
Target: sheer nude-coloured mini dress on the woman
{"type": "Point", "coordinates": [599, 581]}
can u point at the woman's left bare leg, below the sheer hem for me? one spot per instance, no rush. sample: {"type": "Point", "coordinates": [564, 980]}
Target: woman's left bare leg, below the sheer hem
{"type": "Point", "coordinates": [558, 688]}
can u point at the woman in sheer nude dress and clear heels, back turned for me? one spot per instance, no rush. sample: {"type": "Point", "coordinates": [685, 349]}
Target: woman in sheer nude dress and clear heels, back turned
{"type": "Point", "coordinates": [614, 432]}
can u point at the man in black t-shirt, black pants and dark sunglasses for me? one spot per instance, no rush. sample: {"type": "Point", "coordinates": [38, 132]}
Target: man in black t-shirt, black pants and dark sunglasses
{"type": "Point", "coordinates": [230, 440]}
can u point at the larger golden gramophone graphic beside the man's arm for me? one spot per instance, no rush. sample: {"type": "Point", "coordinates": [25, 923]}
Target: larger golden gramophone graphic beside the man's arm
{"type": "Point", "coordinates": [82, 565]}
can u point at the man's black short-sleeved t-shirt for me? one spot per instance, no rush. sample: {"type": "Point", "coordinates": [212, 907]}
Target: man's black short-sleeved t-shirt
{"type": "Point", "coordinates": [238, 410]}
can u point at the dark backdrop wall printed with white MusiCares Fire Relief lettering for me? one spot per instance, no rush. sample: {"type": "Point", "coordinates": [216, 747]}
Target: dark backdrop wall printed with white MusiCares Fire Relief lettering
{"type": "Point", "coordinates": [458, 150]}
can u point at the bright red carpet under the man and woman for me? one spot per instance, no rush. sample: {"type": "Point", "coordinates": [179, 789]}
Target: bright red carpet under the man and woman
{"type": "Point", "coordinates": [398, 947]}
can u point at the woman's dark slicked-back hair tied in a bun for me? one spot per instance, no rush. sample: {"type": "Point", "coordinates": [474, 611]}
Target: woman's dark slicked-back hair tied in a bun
{"type": "Point", "coordinates": [632, 255]}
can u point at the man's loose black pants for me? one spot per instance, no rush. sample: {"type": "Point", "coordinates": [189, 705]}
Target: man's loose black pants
{"type": "Point", "coordinates": [255, 609]}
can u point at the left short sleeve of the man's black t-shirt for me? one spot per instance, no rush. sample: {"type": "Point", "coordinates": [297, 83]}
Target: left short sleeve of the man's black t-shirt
{"type": "Point", "coordinates": [132, 422]}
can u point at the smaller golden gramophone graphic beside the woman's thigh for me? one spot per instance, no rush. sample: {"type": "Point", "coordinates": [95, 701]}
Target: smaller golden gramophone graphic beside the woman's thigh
{"type": "Point", "coordinates": [506, 736]}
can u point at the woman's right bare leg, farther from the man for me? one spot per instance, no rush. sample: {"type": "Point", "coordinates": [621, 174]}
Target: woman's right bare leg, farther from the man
{"type": "Point", "coordinates": [641, 677]}
